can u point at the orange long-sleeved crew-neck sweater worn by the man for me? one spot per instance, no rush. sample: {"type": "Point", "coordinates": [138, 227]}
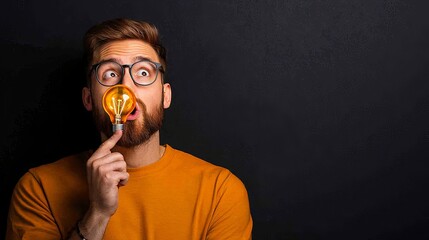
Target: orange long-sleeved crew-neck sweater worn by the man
{"type": "Point", "coordinates": [178, 197]}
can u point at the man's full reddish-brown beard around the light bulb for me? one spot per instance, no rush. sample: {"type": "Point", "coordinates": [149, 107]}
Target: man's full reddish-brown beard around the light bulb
{"type": "Point", "coordinates": [135, 132]}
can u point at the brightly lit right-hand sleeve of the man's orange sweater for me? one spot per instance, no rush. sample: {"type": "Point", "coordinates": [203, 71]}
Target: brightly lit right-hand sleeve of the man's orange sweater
{"type": "Point", "coordinates": [232, 218]}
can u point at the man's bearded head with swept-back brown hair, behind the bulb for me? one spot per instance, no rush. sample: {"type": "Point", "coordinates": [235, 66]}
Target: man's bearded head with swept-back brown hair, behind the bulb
{"type": "Point", "coordinates": [125, 42]}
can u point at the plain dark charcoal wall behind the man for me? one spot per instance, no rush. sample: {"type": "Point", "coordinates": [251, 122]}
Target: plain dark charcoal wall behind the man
{"type": "Point", "coordinates": [320, 107]}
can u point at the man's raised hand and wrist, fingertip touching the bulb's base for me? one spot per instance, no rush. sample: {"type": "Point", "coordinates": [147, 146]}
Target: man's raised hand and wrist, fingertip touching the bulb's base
{"type": "Point", "coordinates": [106, 172]}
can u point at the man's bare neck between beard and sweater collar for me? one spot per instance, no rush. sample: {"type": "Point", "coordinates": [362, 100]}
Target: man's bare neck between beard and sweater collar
{"type": "Point", "coordinates": [144, 154]}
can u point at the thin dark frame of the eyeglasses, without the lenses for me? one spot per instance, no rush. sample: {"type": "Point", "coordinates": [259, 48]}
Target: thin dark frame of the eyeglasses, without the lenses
{"type": "Point", "coordinates": [94, 68]}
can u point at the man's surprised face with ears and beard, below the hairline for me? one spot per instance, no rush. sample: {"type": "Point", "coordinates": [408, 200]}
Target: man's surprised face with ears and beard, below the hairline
{"type": "Point", "coordinates": [147, 118]}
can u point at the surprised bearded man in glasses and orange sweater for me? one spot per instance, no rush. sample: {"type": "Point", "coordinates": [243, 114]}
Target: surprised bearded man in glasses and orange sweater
{"type": "Point", "coordinates": [131, 187]}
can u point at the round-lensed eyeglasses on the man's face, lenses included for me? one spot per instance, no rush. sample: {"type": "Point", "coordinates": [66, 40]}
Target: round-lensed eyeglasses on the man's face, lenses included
{"type": "Point", "coordinates": [143, 73]}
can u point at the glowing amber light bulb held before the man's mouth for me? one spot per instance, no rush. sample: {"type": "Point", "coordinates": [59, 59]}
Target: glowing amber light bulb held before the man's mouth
{"type": "Point", "coordinates": [118, 102]}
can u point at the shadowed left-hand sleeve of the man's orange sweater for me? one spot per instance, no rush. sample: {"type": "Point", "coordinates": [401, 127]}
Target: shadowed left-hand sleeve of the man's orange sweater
{"type": "Point", "coordinates": [29, 212]}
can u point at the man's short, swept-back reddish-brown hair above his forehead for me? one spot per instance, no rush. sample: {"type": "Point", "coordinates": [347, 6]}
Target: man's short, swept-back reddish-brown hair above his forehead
{"type": "Point", "coordinates": [121, 29]}
